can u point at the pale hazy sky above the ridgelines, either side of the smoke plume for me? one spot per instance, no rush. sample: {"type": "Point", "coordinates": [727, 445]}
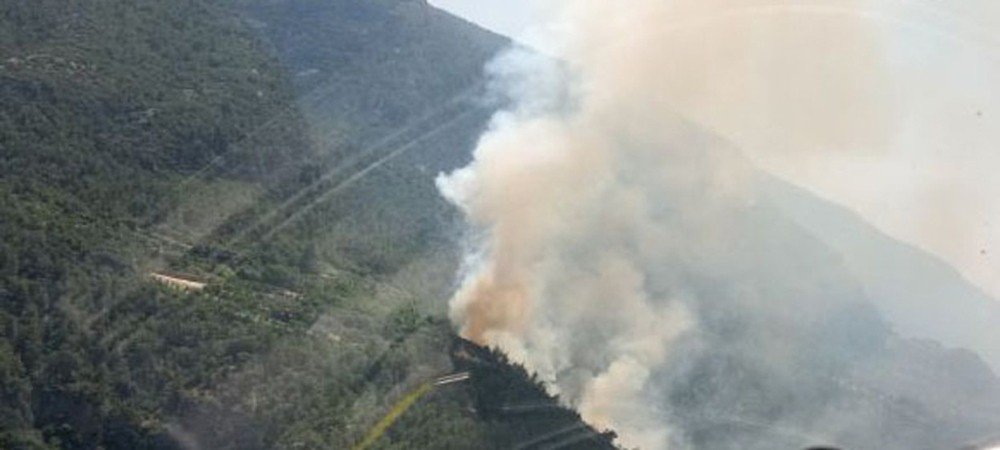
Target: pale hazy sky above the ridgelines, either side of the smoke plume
{"type": "Point", "coordinates": [928, 181]}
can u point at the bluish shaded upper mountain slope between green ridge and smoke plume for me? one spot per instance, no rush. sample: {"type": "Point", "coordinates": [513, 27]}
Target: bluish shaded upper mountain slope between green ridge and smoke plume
{"type": "Point", "coordinates": [392, 93]}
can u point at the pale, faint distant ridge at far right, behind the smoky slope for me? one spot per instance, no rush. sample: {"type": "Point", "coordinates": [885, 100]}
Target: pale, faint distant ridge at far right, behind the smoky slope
{"type": "Point", "coordinates": [922, 296]}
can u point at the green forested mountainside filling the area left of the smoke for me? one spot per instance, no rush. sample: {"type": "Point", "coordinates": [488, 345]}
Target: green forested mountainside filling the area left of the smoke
{"type": "Point", "coordinates": [279, 152]}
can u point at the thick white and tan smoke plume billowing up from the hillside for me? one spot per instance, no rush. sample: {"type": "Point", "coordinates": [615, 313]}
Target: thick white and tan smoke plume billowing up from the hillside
{"type": "Point", "coordinates": [602, 210]}
